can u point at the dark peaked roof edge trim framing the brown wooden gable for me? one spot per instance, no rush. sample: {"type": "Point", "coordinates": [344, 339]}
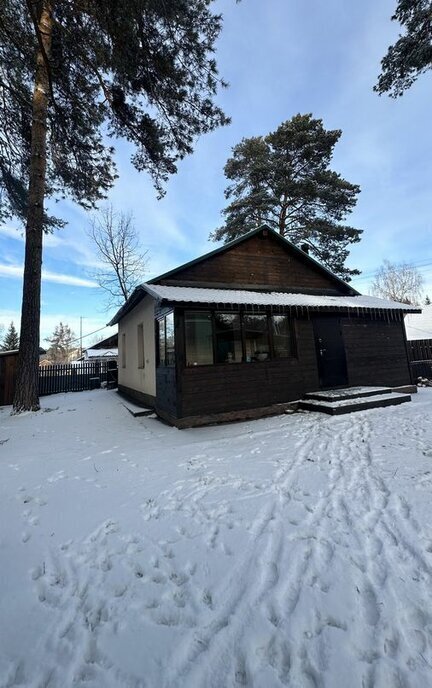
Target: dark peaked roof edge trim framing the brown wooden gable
{"type": "Point", "coordinates": [245, 237]}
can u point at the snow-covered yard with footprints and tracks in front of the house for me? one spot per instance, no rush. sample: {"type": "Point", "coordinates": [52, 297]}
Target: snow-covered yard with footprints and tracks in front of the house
{"type": "Point", "coordinates": [291, 551]}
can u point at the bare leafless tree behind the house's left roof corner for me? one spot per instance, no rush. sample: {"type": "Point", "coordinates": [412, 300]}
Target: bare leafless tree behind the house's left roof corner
{"type": "Point", "coordinates": [124, 262]}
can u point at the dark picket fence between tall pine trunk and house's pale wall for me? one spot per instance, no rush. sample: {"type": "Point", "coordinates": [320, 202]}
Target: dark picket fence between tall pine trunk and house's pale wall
{"type": "Point", "coordinates": [77, 378]}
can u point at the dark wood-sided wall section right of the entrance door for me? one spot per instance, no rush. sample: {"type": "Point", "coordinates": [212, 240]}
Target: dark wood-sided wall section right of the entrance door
{"type": "Point", "coordinates": [376, 352]}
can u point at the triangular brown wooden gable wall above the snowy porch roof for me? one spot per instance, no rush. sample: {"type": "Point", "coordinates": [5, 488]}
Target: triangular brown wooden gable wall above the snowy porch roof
{"type": "Point", "coordinates": [260, 262]}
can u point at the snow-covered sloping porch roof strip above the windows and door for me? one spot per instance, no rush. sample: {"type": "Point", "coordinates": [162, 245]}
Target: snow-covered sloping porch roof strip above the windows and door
{"type": "Point", "coordinates": [272, 298]}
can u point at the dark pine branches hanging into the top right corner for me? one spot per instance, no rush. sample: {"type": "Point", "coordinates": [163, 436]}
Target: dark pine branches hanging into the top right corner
{"type": "Point", "coordinates": [411, 55]}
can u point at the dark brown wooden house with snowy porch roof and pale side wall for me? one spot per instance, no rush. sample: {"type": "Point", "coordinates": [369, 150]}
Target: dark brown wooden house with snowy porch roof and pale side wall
{"type": "Point", "coordinates": [252, 325]}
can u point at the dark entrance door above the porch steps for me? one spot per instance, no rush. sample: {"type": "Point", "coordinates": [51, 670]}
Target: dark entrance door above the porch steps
{"type": "Point", "coordinates": [330, 350]}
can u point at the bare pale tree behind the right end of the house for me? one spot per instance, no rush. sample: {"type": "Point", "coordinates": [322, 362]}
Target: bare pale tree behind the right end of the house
{"type": "Point", "coordinates": [399, 282]}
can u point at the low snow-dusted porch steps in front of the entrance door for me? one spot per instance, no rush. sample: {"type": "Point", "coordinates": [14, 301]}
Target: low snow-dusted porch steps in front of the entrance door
{"type": "Point", "coordinates": [339, 401]}
